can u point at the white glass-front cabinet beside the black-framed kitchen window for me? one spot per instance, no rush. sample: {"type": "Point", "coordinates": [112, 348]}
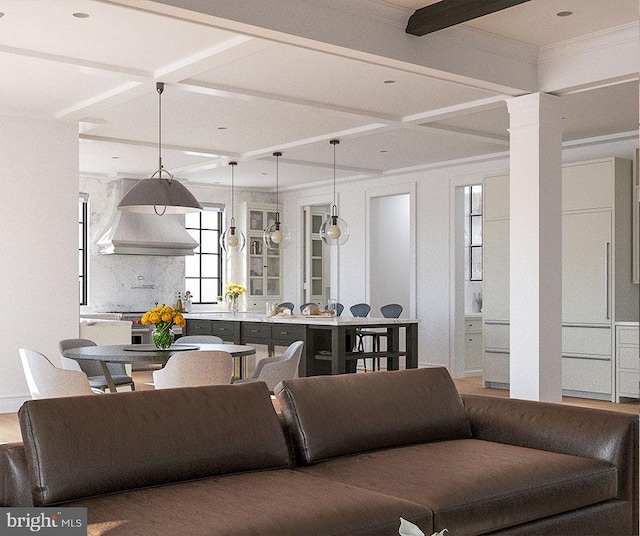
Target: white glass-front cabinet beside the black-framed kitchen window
{"type": "Point", "coordinates": [262, 267]}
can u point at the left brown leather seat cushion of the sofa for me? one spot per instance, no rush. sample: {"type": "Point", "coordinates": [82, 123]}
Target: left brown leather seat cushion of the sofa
{"type": "Point", "coordinates": [277, 502]}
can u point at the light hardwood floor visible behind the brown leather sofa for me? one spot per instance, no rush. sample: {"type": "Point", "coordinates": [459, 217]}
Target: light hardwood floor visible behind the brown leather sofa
{"type": "Point", "coordinates": [10, 429]}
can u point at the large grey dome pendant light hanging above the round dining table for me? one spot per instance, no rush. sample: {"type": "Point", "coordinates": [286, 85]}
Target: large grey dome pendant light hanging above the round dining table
{"type": "Point", "coordinates": [158, 194]}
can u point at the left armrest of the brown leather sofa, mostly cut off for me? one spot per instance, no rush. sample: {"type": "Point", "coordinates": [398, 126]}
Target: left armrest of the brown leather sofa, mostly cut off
{"type": "Point", "coordinates": [15, 489]}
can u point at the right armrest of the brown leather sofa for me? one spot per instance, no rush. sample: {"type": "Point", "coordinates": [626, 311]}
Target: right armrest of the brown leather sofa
{"type": "Point", "coordinates": [591, 433]}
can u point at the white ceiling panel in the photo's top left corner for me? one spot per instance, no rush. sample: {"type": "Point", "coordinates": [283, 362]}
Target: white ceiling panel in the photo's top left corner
{"type": "Point", "coordinates": [112, 34]}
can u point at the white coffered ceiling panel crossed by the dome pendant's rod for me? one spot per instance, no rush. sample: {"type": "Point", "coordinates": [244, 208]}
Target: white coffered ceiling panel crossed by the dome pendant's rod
{"type": "Point", "coordinates": [194, 120]}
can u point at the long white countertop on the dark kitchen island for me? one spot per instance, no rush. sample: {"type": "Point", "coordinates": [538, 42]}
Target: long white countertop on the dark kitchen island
{"type": "Point", "coordinates": [298, 319]}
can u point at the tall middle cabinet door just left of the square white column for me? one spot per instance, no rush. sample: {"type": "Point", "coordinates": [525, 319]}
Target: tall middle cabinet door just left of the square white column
{"type": "Point", "coordinates": [496, 270]}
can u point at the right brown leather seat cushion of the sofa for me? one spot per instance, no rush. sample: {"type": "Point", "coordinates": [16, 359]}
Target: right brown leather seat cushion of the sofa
{"type": "Point", "coordinates": [475, 486]}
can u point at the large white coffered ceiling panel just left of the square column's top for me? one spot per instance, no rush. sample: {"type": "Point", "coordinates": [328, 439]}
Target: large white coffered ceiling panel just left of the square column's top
{"type": "Point", "coordinates": [328, 79]}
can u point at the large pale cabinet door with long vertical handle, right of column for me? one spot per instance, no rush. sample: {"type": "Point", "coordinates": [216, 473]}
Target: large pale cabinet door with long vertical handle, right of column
{"type": "Point", "coordinates": [586, 267]}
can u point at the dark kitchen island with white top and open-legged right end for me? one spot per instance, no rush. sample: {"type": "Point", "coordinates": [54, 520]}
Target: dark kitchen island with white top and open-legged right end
{"type": "Point", "coordinates": [328, 341]}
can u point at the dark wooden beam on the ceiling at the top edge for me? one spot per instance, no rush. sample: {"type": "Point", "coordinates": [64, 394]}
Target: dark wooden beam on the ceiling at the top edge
{"type": "Point", "coordinates": [448, 13]}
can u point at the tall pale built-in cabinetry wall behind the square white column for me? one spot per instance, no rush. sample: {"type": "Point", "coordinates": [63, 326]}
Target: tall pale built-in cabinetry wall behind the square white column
{"type": "Point", "coordinates": [596, 275]}
